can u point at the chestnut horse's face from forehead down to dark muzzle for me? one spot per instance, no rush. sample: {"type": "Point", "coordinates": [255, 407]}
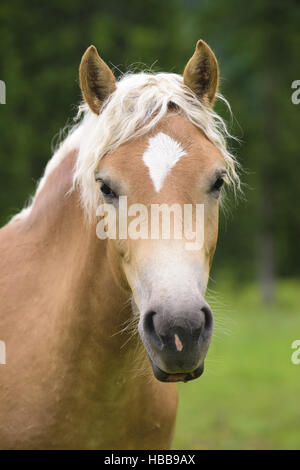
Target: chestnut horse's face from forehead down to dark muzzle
{"type": "Point", "coordinates": [174, 166]}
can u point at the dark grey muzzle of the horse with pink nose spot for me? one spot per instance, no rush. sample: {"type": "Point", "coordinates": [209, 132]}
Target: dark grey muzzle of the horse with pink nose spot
{"type": "Point", "coordinates": [177, 343]}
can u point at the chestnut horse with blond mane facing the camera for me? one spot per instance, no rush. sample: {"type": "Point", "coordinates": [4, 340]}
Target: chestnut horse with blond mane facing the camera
{"type": "Point", "coordinates": [97, 331]}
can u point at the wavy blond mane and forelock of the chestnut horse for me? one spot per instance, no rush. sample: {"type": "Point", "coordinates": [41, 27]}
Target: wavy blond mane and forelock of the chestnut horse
{"type": "Point", "coordinates": [138, 104]}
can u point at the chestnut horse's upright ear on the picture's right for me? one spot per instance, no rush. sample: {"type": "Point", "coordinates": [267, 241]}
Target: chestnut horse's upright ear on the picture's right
{"type": "Point", "coordinates": [201, 73]}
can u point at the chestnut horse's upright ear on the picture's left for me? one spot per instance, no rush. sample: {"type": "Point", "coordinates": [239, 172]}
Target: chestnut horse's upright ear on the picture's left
{"type": "Point", "coordinates": [97, 81]}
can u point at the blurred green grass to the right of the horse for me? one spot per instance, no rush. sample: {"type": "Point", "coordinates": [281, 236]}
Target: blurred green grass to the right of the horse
{"type": "Point", "coordinates": [249, 394]}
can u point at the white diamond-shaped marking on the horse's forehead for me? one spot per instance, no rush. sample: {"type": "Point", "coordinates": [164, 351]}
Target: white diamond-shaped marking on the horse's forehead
{"type": "Point", "coordinates": [161, 155]}
